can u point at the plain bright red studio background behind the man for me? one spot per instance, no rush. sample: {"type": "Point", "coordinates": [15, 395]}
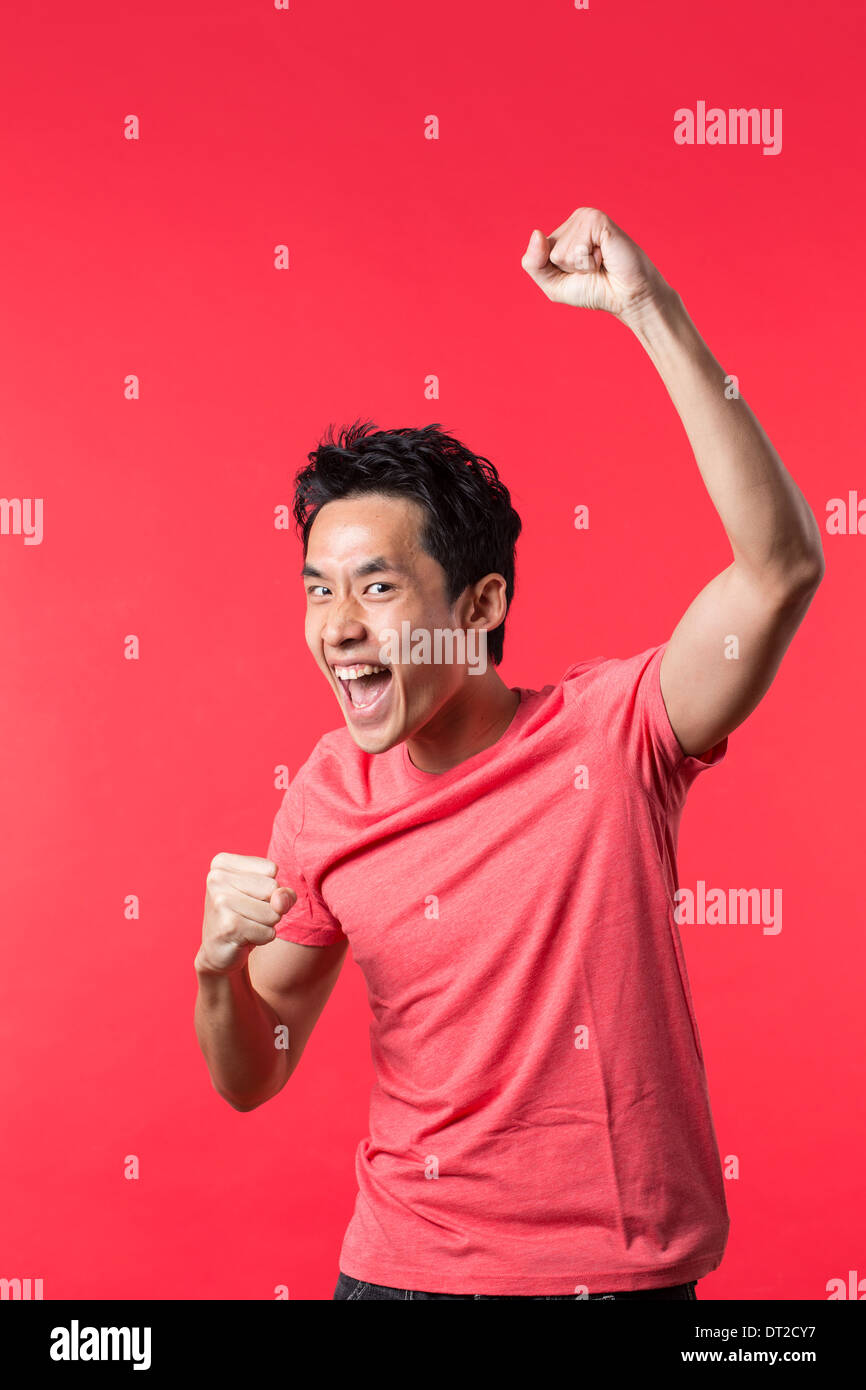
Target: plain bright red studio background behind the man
{"type": "Point", "coordinates": [156, 258]}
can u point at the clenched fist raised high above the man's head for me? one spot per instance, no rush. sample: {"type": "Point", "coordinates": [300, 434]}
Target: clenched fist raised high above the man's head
{"type": "Point", "coordinates": [590, 263]}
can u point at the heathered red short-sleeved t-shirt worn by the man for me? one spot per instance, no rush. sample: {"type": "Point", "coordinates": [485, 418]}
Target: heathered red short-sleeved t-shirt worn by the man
{"type": "Point", "coordinates": [540, 1118]}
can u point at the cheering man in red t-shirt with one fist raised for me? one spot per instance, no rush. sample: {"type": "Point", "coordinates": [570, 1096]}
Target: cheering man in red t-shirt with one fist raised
{"type": "Point", "coordinates": [504, 861]}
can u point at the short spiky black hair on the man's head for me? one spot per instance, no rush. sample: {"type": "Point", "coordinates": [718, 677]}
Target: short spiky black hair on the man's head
{"type": "Point", "coordinates": [471, 525]}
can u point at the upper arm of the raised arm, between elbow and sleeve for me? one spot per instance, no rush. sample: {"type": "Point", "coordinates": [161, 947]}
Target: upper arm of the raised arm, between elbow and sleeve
{"type": "Point", "coordinates": [725, 654]}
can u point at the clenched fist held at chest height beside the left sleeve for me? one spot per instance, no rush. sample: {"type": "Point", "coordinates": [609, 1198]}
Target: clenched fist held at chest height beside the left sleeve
{"type": "Point", "coordinates": [243, 907]}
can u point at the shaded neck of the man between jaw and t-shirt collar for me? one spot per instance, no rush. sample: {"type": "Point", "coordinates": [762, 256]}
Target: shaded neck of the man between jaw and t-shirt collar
{"type": "Point", "coordinates": [471, 722]}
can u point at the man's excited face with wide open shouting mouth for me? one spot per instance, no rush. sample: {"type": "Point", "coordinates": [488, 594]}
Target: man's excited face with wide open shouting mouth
{"type": "Point", "coordinates": [365, 575]}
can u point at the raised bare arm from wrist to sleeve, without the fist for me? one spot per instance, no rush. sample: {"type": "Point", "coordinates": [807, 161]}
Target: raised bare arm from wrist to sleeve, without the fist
{"type": "Point", "coordinates": [725, 653]}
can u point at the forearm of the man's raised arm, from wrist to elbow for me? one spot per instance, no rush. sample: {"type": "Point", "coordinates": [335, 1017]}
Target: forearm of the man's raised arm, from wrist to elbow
{"type": "Point", "coordinates": [769, 523]}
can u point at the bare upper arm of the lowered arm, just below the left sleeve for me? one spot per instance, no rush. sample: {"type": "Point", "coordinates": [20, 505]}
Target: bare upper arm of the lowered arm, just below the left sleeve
{"type": "Point", "coordinates": [297, 982]}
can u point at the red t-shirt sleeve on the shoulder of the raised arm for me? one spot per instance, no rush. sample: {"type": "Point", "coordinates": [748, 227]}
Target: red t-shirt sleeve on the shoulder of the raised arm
{"type": "Point", "coordinates": [626, 694]}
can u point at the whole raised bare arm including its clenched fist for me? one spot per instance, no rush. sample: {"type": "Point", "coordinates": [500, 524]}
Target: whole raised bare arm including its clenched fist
{"type": "Point", "coordinates": [729, 644]}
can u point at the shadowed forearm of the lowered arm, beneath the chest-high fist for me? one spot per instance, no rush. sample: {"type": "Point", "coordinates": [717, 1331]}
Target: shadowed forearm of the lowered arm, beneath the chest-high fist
{"type": "Point", "coordinates": [237, 1035]}
